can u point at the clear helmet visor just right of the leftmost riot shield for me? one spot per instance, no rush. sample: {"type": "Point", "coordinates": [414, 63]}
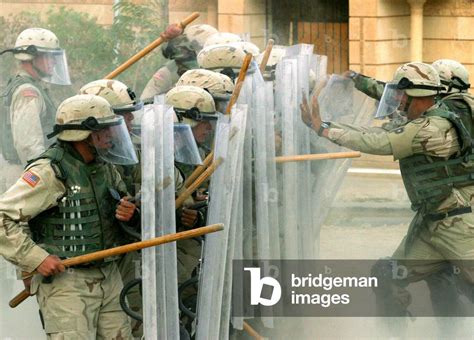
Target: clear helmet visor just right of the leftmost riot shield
{"type": "Point", "coordinates": [185, 147]}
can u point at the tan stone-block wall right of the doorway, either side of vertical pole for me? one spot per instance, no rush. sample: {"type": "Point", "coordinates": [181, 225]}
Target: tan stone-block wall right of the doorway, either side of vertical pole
{"type": "Point", "coordinates": [379, 34]}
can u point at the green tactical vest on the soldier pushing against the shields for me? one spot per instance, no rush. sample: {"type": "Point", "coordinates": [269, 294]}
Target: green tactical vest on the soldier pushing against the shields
{"type": "Point", "coordinates": [430, 180]}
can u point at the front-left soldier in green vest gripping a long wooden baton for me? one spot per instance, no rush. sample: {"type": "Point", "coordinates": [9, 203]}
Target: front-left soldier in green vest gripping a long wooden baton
{"type": "Point", "coordinates": [65, 197]}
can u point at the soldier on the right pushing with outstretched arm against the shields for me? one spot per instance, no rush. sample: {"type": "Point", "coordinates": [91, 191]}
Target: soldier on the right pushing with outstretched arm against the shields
{"type": "Point", "coordinates": [442, 228]}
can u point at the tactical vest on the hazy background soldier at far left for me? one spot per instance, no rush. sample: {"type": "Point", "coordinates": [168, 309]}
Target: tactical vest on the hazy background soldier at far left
{"type": "Point", "coordinates": [47, 117]}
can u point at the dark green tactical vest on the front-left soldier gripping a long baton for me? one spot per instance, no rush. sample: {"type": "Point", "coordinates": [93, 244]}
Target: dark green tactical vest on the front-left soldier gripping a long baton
{"type": "Point", "coordinates": [84, 220]}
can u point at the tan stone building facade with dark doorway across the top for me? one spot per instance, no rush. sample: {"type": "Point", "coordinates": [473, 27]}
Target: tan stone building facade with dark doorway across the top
{"type": "Point", "coordinates": [370, 36]}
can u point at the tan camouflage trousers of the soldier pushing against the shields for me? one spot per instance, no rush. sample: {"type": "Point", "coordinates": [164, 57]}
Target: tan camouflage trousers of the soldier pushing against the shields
{"type": "Point", "coordinates": [440, 248]}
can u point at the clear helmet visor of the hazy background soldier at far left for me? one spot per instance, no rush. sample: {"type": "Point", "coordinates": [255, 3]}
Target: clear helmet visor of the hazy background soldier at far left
{"type": "Point", "coordinates": [52, 66]}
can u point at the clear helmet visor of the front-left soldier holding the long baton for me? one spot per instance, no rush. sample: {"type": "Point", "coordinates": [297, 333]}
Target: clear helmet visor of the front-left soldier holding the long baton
{"type": "Point", "coordinates": [113, 143]}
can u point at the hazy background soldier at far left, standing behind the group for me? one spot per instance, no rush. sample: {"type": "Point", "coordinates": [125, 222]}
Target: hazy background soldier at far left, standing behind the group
{"type": "Point", "coordinates": [28, 113]}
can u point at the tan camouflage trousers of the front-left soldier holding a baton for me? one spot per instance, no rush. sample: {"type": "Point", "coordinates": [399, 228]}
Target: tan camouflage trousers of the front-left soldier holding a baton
{"type": "Point", "coordinates": [82, 303]}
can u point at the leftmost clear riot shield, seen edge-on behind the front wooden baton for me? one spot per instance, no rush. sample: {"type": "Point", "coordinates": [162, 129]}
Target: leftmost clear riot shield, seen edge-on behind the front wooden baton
{"type": "Point", "coordinates": [160, 287]}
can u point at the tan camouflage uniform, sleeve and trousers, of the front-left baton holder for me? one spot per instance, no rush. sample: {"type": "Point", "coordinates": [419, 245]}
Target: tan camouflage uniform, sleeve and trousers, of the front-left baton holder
{"type": "Point", "coordinates": [73, 304]}
